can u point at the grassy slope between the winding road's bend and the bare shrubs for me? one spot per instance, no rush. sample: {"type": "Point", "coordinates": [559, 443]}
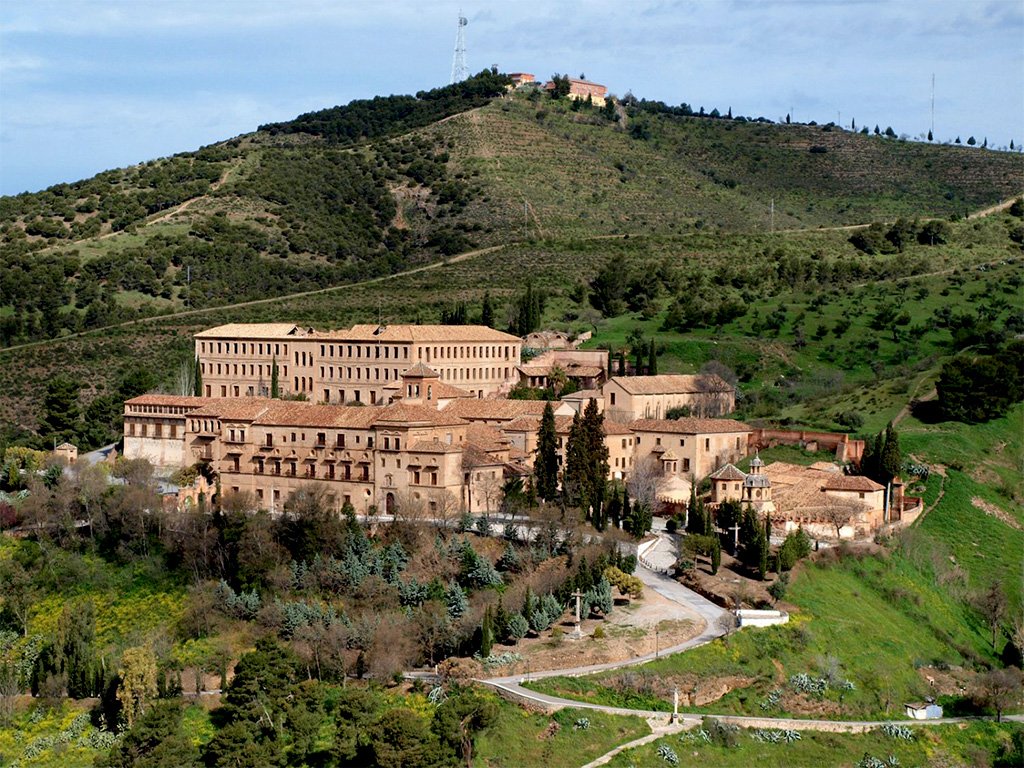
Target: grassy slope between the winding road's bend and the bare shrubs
{"type": "Point", "coordinates": [874, 620]}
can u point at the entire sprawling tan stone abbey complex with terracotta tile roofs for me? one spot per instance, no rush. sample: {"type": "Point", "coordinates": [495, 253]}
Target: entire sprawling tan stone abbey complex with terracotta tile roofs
{"type": "Point", "coordinates": [397, 418]}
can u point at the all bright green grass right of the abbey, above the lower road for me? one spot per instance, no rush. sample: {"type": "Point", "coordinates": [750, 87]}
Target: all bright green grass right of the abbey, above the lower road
{"type": "Point", "coordinates": [874, 619]}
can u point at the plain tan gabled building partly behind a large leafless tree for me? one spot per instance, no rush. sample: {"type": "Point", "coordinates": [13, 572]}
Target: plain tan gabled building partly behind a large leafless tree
{"type": "Point", "coordinates": [629, 398]}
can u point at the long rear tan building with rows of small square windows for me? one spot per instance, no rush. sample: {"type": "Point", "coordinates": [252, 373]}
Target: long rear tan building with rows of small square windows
{"type": "Point", "coordinates": [363, 364]}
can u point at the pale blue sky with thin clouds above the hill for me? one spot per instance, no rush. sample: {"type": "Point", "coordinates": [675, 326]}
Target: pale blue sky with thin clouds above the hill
{"type": "Point", "coordinates": [89, 86]}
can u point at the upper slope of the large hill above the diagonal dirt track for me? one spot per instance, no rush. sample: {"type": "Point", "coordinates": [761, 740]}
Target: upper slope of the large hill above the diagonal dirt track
{"type": "Point", "coordinates": [380, 186]}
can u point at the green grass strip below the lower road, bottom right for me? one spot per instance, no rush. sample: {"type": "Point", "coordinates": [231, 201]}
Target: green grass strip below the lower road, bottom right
{"type": "Point", "coordinates": [974, 745]}
